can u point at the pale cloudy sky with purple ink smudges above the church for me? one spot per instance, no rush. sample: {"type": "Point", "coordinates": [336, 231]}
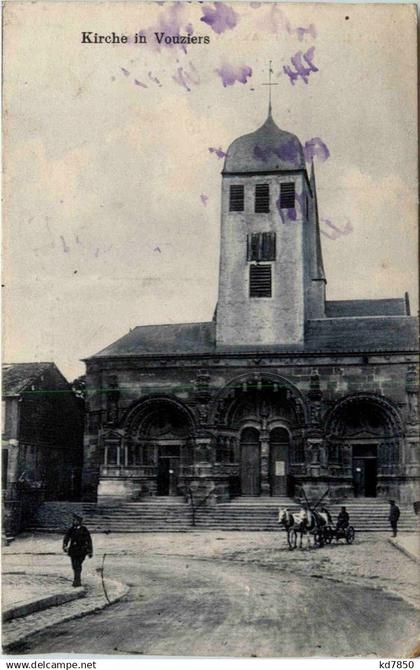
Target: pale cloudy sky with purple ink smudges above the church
{"type": "Point", "coordinates": [113, 154]}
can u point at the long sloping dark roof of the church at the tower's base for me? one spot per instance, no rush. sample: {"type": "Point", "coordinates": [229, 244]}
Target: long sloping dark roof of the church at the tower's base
{"type": "Point", "coordinates": [382, 333]}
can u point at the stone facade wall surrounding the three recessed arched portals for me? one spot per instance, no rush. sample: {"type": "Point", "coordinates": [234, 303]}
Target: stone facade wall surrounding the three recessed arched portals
{"type": "Point", "coordinates": [320, 381]}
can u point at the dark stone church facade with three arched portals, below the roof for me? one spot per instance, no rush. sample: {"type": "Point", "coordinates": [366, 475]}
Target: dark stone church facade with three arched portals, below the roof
{"type": "Point", "coordinates": [338, 413]}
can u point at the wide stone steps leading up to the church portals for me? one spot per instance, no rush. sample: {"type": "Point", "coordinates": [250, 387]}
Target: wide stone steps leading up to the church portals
{"type": "Point", "coordinates": [241, 514]}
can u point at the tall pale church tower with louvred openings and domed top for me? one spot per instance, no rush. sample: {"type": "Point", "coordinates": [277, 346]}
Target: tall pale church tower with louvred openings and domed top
{"type": "Point", "coordinates": [271, 277]}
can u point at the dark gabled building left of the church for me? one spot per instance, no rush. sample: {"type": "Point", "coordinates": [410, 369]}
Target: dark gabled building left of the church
{"type": "Point", "coordinates": [42, 435]}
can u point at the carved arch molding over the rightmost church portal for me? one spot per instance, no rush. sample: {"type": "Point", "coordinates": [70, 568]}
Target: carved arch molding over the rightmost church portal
{"type": "Point", "coordinates": [391, 414]}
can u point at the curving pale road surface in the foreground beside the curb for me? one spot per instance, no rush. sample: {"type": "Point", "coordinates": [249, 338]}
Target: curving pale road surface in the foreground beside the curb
{"type": "Point", "coordinates": [189, 605]}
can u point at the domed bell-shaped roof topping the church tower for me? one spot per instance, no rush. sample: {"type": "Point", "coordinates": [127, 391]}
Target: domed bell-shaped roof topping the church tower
{"type": "Point", "coordinates": [267, 149]}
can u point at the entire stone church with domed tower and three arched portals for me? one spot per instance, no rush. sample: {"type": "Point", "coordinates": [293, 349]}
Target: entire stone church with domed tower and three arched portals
{"type": "Point", "coordinates": [283, 389]}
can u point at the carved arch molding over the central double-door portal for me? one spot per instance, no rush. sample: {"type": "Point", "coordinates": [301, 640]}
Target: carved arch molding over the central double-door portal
{"type": "Point", "coordinates": [224, 398]}
